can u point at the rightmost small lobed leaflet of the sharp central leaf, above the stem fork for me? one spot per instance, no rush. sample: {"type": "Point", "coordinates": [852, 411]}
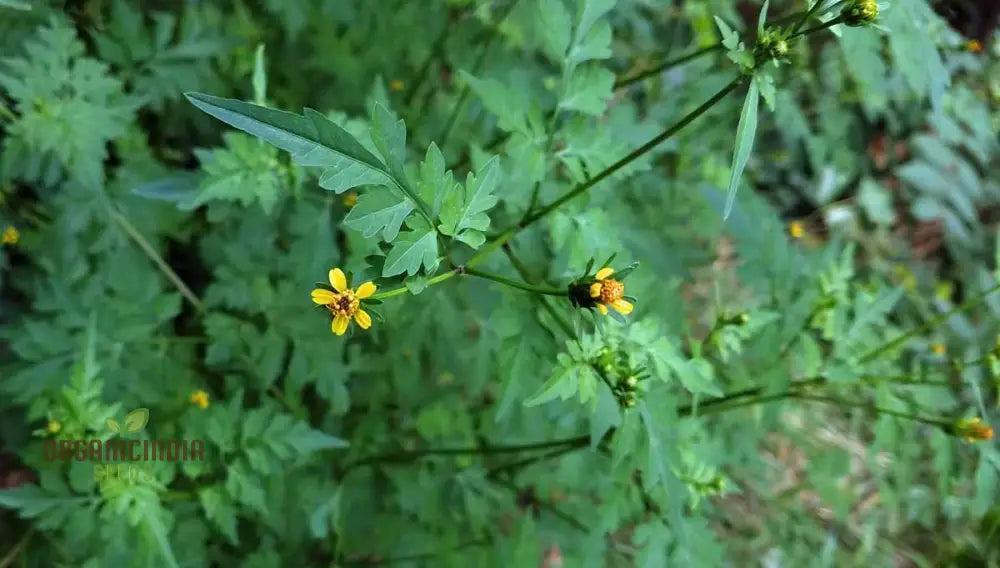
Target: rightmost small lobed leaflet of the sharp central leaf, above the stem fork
{"type": "Point", "coordinates": [463, 211]}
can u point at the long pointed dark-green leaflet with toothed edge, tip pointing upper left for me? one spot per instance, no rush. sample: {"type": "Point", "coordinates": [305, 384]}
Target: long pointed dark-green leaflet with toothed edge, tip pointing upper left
{"type": "Point", "coordinates": [312, 139]}
